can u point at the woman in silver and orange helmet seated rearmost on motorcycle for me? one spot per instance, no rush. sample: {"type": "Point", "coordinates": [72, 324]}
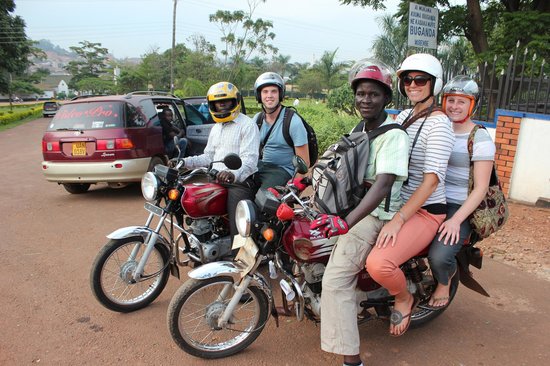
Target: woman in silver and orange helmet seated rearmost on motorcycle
{"type": "Point", "coordinates": [460, 99]}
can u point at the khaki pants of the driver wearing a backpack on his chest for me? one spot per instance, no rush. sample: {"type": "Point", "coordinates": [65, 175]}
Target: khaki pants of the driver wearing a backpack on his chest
{"type": "Point", "coordinates": [339, 331]}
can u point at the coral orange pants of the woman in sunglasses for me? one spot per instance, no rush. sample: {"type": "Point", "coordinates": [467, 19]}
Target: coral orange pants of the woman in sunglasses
{"type": "Point", "coordinates": [416, 234]}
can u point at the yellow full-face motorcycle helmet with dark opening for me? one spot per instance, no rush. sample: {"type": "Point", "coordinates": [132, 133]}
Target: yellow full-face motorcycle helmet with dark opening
{"type": "Point", "coordinates": [224, 91]}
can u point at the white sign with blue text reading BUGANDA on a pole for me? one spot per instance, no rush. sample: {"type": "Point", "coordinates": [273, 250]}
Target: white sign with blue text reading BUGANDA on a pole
{"type": "Point", "coordinates": [423, 26]}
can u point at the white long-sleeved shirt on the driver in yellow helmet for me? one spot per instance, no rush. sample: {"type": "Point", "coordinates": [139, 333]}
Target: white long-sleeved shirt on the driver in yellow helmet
{"type": "Point", "coordinates": [239, 136]}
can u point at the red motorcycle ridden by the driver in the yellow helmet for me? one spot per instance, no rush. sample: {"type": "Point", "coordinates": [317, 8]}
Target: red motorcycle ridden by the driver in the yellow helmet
{"type": "Point", "coordinates": [187, 225]}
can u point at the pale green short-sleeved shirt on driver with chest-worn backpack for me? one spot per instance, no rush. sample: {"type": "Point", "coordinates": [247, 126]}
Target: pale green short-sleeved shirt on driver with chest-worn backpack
{"type": "Point", "coordinates": [389, 154]}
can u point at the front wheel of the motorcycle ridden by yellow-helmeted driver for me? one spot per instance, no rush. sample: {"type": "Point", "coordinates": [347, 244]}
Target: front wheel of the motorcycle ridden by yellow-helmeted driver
{"type": "Point", "coordinates": [111, 278]}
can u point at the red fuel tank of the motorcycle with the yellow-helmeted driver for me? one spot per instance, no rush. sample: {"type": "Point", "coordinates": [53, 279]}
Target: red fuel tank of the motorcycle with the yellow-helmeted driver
{"type": "Point", "coordinates": [204, 199]}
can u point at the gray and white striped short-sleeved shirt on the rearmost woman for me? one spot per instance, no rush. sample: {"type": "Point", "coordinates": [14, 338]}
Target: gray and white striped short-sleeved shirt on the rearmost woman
{"type": "Point", "coordinates": [458, 172]}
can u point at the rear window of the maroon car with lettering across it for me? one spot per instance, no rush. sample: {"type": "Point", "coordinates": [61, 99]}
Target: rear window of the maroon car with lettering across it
{"type": "Point", "coordinates": [86, 116]}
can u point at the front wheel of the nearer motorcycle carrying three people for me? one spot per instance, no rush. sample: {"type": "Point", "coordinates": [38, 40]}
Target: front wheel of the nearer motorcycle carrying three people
{"type": "Point", "coordinates": [196, 307]}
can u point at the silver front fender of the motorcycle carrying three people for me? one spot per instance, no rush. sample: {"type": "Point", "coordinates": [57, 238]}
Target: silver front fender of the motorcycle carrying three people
{"type": "Point", "coordinates": [226, 268]}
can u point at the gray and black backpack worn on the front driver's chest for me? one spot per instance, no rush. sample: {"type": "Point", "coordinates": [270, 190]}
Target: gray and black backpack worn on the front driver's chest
{"type": "Point", "coordinates": [338, 175]}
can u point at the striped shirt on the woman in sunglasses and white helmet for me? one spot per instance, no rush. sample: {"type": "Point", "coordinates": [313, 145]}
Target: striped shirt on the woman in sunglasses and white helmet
{"type": "Point", "coordinates": [430, 154]}
